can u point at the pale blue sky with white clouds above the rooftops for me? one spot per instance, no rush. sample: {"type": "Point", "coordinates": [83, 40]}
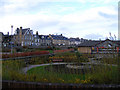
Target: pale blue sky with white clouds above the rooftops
{"type": "Point", "coordinates": [89, 19]}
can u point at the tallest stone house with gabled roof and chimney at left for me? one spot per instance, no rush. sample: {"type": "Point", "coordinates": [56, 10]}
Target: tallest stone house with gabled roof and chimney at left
{"type": "Point", "coordinates": [24, 37]}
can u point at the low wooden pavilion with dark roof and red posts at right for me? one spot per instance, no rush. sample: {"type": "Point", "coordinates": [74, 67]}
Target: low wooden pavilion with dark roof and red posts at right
{"type": "Point", "coordinates": [105, 46]}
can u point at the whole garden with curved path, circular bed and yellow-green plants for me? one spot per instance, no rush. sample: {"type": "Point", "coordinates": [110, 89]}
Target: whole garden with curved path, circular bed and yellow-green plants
{"type": "Point", "coordinates": [75, 68]}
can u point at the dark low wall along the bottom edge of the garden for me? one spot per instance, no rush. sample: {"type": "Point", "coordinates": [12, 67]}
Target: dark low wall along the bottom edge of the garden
{"type": "Point", "coordinates": [13, 84]}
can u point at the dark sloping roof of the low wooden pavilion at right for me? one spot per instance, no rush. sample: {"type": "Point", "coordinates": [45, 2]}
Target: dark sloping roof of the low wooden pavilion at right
{"type": "Point", "coordinates": [96, 42]}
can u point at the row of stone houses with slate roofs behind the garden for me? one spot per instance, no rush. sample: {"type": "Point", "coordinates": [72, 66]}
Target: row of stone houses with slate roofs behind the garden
{"type": "Point", "coordinates": [25, 37]}
